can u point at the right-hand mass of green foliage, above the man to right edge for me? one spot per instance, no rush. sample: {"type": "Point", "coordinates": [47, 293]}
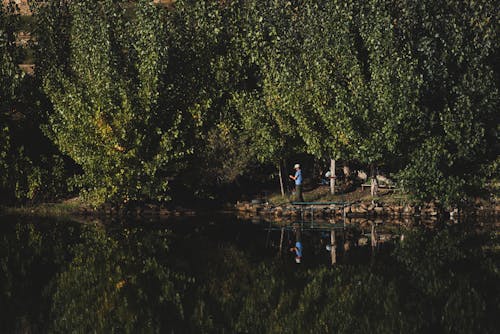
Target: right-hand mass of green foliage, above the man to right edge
{"type": "Point", "coordinates": [410, 86]}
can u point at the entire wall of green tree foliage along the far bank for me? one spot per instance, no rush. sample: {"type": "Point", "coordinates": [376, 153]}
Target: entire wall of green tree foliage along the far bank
{"type": "Point", "coordinates": [152, 101]}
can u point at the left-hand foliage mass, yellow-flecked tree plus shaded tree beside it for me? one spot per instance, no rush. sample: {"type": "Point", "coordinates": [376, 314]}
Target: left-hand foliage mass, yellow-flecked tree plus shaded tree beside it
{"type": "Point", "coordinates": [149, 100]}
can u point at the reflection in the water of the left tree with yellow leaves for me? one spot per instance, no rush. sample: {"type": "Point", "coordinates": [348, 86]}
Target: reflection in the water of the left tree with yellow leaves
{"type": "Point", "coordinates": [121, 282]}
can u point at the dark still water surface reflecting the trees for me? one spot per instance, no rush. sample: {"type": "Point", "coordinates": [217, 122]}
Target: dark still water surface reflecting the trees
{"type": "Point", "coordinates": [216, 273]}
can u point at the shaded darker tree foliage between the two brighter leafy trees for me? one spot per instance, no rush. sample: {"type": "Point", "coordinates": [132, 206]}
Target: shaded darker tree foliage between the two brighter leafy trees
{"type": "Point", "coordinates": [206, 67]}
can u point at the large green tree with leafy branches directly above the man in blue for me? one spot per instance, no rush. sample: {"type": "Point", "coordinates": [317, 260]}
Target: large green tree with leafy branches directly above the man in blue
{"type": "Point", "coordinates": [343, 86]}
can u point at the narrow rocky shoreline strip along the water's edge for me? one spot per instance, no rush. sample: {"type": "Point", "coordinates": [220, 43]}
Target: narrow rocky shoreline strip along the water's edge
{"type": "Point", "coordinates": [76, 208]}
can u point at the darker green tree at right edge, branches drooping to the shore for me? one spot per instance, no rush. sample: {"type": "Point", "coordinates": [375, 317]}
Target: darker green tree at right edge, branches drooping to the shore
{"type": "Point", "coordinates": [455, 45]}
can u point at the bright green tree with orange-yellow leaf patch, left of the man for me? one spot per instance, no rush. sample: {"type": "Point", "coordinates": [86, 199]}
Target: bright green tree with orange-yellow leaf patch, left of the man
{"type": "Point", "coordinates": [112, 113]}
